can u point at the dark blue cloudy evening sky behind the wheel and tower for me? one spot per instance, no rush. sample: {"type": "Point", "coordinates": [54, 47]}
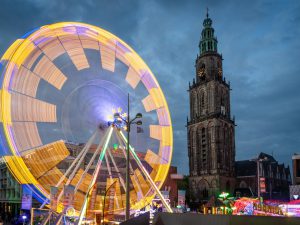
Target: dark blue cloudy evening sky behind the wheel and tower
{"type": "Point", "coordinates": [259, 41]}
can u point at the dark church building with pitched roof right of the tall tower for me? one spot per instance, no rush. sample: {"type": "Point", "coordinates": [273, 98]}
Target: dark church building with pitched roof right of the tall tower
{"type": "Point", "coordinates": [264, 175]}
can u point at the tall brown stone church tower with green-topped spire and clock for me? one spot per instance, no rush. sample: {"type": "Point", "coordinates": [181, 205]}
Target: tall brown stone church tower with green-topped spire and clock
{"type": "Point", "coordinates": [211, 144]}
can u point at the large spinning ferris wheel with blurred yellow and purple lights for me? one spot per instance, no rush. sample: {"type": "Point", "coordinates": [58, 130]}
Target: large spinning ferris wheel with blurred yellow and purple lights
{"type": "Point", "coordinates": [61, 87]}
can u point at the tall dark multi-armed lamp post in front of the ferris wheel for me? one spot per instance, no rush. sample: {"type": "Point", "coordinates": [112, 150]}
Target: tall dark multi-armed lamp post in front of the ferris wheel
{"type": "Point", "coordinates": [128, 123]}
